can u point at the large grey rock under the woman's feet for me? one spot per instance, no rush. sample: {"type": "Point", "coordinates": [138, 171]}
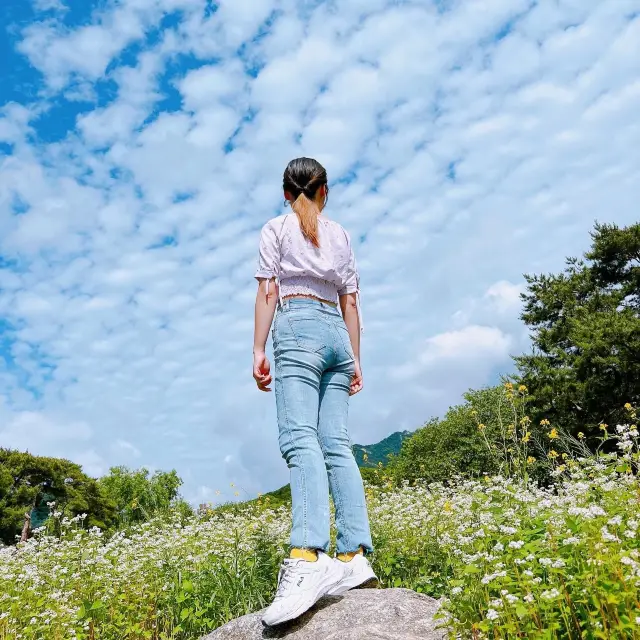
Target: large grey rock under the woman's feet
{"type": "Point", "coordinates": [362, 614]}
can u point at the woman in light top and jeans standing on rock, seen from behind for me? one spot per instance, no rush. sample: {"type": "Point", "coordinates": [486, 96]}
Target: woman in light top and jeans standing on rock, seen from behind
{"type": "Point", "coordinates": [306, 267]}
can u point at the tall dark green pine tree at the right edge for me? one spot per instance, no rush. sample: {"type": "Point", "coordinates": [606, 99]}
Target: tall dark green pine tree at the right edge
{"type": "Point", "coordinates": [585, 328]}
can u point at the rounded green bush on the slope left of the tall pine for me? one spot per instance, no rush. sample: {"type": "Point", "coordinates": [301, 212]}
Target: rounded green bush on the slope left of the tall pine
{"type": "Point", "coordinates": [443, 449]}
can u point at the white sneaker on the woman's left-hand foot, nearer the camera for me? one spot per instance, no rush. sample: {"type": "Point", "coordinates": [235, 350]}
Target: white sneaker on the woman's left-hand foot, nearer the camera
{"type": "Point", "coordinates": [300, 585]}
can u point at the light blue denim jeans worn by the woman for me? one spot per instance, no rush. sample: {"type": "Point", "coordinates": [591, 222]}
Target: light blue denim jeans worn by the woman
{"type": "Point", "coordinates": [314, 365]}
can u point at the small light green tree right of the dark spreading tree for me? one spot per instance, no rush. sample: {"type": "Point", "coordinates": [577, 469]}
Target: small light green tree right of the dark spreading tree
{"type": "Point", "coordinates": [140, 496]}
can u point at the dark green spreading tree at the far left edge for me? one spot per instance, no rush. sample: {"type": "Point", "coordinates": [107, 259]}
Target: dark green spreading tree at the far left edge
{"type": "Point", "coordinates": [27, 482]}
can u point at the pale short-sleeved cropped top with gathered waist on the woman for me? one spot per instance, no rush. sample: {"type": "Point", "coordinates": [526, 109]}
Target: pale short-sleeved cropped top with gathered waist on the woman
{"type": "Point", "coordinates": [325, 272]}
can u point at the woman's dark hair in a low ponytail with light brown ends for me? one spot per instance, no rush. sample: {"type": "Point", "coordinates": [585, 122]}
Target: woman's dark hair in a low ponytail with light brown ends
{"type": "Point", "coordinates": [302, 179]}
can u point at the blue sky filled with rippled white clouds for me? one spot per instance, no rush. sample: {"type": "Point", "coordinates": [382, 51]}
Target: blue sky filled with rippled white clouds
{"type": "Point", "coordinates": [142, 144]}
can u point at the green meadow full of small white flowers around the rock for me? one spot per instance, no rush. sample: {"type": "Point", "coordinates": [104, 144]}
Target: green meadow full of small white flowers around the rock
{"type": "Point", "coordinates": [511, 560]}
